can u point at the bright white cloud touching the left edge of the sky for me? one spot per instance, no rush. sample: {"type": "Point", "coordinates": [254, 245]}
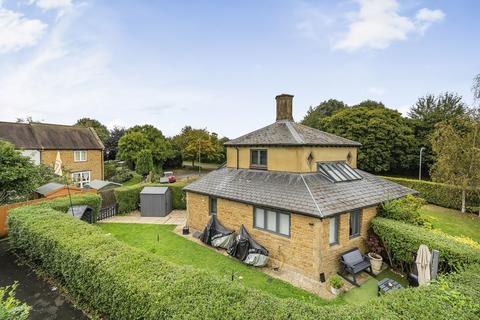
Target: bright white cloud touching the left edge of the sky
{"type": "Point", "coordinates": [18, 32]}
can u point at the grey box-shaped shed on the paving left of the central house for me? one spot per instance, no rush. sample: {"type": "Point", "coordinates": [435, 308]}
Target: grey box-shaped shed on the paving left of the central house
{"type": "Point", "coordinates": [155, 201]}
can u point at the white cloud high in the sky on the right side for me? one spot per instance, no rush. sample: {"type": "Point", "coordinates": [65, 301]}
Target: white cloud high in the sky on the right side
{"type": "Point", "coordinates": [378, 24]}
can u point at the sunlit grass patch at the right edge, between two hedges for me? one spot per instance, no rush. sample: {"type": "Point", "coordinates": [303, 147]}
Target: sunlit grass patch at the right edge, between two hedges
{"type": "Point", "coordinates": [453, 222]}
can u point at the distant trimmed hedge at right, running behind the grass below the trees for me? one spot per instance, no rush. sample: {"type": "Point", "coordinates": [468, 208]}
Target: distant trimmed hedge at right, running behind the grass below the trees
{"type": "Point", "coordinates": [440, 194]}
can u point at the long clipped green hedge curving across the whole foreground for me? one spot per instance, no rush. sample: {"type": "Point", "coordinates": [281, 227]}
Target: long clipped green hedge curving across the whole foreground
{"type": "Point", "coordinates": [111, 279]}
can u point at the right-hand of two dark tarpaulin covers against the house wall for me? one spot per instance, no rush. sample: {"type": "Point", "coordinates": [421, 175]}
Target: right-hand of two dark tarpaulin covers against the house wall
{"type": "Point", "coordinates": [248, 250]}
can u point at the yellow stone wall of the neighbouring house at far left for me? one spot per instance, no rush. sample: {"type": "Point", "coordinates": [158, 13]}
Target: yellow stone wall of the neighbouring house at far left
{"type": "Point", "coordinates": [94, 162]}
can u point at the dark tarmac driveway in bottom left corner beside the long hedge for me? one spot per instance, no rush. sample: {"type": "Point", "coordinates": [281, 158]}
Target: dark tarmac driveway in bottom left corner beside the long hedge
{"type": "Point", "coordinates": [46, 301]}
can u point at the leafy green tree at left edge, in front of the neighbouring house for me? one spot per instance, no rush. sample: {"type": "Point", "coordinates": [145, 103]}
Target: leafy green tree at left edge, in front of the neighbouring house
{"type": "Point", "coordinates": [19, 176]}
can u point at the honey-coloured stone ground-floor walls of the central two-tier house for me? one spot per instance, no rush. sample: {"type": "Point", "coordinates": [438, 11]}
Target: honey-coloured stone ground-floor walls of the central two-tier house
{"type": "Point", "coordinates": [306, 251]}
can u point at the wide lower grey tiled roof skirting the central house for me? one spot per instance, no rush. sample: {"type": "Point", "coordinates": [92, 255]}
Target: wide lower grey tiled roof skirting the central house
{"type": "Point", "coordinates": [307, 193]}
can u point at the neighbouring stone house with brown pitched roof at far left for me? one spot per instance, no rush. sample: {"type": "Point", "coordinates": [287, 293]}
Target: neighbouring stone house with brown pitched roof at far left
{"type": "Point", "coordinates": [80, 149]}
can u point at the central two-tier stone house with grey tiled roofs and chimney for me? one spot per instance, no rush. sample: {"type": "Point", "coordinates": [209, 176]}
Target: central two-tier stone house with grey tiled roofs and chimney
{"type": "Point", "coordinates": [298, 192]}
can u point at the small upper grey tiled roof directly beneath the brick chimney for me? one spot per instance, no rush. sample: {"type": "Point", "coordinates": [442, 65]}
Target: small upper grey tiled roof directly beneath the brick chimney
{"type": "Point", "coordinates": [289, 133]}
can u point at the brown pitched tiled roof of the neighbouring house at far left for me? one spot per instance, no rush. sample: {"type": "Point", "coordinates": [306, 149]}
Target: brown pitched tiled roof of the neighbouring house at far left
{"type": "Point", "coordinates": [49, 136]}
